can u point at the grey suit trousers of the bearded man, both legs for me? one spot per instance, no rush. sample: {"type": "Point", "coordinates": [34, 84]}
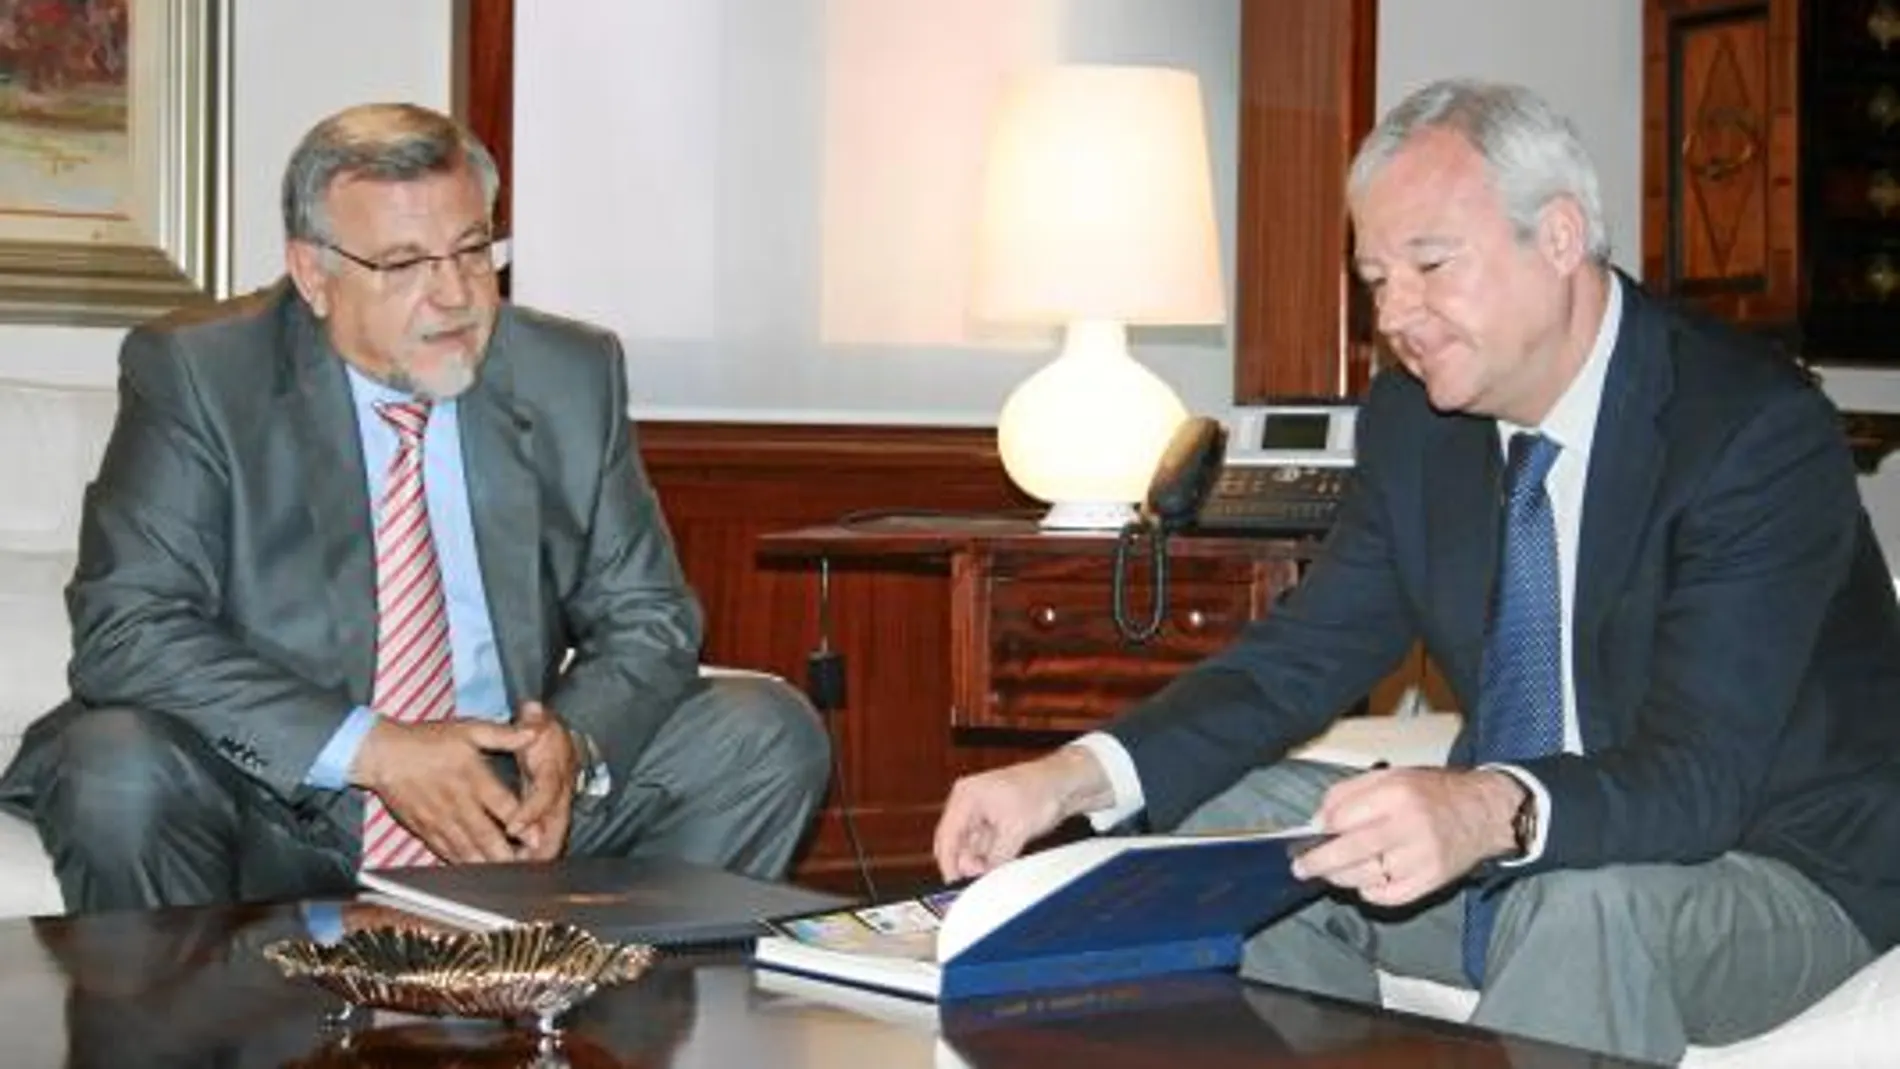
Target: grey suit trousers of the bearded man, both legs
{"type": "Point", "coordinates": [140, 812]}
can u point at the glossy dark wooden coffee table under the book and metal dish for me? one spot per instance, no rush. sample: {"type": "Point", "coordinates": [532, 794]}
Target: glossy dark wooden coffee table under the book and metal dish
{"type": "Point", "coordinates": [187, 988]}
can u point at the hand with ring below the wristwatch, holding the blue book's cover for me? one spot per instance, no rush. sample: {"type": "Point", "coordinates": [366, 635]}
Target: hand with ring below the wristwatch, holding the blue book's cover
{"type": "Point", "coordinates": [1401, 835]}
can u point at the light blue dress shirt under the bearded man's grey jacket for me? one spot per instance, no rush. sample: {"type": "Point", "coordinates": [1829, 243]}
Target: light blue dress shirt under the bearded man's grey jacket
{"type": "Point", "coordinates": [480, 692]}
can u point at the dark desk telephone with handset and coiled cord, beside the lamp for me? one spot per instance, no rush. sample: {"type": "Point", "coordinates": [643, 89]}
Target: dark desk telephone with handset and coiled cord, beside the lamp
{"type": "Point", "coordinates": [1282, 474]}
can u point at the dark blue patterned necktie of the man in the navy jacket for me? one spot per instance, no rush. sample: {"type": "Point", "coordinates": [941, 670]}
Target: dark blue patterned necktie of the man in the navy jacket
{"type": "Point", "coordinates": [1521, 705]}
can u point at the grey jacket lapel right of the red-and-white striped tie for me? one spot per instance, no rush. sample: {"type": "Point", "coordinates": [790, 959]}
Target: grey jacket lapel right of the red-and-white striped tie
{"type": "Point", "coordinates": [504, 502]}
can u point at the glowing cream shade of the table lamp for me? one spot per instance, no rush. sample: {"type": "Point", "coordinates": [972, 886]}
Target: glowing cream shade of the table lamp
{"type": "Point", "coordinates": [1099, 202]}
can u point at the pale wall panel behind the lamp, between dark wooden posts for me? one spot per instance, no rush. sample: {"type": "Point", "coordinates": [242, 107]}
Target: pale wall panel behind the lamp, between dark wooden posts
{"type": "Point", "coordinates": [772, 200]}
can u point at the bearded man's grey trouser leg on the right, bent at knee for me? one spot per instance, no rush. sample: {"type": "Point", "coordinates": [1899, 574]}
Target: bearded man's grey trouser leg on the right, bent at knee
{"type": "Point", "coordinates": [731, 779]}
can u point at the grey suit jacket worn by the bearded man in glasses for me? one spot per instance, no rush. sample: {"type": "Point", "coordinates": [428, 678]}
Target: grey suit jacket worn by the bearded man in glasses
{"type": "Point", "coordinates": [227, 565]}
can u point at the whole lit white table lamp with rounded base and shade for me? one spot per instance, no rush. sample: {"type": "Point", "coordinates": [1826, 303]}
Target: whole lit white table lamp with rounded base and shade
{"type": "Point", "coordinates": [1097, 214]}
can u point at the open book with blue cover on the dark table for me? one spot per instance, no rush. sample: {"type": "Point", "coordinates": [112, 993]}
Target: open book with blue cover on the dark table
{"type": "Point", "coordinates": [1071, 916]}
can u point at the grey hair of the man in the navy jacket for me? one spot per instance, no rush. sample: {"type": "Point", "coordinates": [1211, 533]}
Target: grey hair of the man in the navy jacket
{"type": "Point", "coordinates": [1530, 151]}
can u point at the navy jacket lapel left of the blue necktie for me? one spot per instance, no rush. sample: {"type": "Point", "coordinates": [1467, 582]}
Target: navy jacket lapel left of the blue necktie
{"type": "Point", "coordinates": [1462, 474]}
